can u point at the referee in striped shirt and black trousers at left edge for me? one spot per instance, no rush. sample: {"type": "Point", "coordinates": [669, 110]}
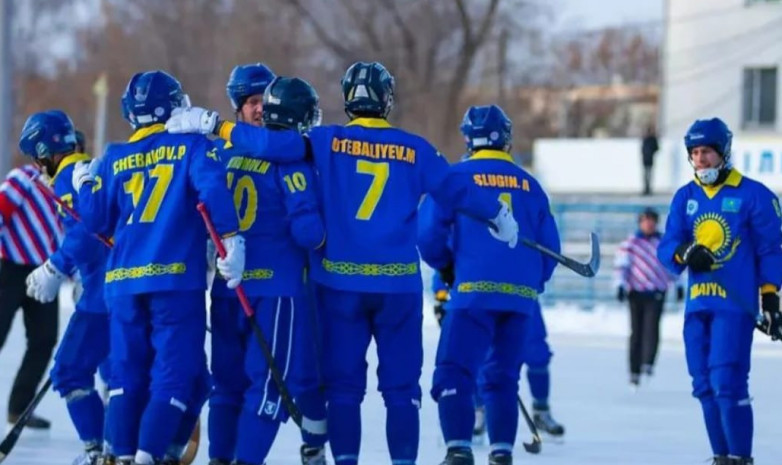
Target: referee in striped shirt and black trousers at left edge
{"type": "Point", "coordinates": [30, 232]}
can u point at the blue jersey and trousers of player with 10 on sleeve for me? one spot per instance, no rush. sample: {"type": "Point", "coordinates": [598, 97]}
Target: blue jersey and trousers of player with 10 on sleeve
{"type": "Point", "coordinates": [280, 220]}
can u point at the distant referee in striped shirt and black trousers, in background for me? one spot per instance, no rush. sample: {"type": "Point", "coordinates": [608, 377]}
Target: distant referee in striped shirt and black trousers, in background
{"type": "Point", "coordinates": [643, 281]}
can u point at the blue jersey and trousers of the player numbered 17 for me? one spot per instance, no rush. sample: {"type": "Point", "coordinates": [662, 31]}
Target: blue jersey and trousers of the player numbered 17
{"type": "Point", "coordinates": [145, 195]}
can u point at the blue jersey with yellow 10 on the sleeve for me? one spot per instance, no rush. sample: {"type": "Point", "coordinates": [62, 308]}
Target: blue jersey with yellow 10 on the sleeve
{"type": "Point", "coordinates": [280, 220]}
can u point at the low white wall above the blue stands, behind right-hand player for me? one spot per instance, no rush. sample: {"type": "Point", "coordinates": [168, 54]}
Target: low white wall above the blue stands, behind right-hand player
{"type": "Point", "coordinates": [613, 166]}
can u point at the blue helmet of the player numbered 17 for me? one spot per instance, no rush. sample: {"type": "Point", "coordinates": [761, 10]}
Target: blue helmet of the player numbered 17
{"type": "Point", "coordinates": [150, 97]}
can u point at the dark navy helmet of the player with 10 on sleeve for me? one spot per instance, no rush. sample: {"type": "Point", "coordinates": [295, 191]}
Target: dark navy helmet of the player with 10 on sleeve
{"type": "Point", "coordinates": [290, 103]}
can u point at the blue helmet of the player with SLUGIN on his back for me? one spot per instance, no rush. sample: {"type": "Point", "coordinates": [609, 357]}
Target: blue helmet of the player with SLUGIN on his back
{"type": "Point", "coordinates": [486, 127]}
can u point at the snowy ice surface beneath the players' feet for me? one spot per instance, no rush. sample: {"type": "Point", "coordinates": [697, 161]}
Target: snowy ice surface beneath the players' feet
{"type": "Point", "coordinates": [606, 423]}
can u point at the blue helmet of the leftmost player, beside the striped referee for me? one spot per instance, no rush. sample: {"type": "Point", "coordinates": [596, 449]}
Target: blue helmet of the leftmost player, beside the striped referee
{"type": "Point", "coordinates": [46, 134]}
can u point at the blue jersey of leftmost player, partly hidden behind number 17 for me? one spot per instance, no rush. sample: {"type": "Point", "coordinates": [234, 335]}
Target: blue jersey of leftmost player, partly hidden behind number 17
{"type": "Point", "coordinates": [80, 250]}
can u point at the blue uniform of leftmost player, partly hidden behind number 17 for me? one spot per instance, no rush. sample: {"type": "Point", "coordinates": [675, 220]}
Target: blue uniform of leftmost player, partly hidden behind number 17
{"type": "Point", "coordinates": [85, 344]}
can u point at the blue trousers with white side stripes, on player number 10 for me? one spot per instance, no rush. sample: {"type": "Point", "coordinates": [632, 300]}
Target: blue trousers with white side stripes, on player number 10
{"type": "Point", "coordinates": [246, 407]}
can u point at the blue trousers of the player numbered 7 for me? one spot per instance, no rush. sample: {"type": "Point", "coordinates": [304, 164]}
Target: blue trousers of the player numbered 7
{"type": "Point", "coordinates": [350, 321]}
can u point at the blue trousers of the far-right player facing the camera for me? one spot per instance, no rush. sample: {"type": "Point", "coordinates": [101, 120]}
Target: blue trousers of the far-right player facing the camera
{"type": "Point", "coordinates": [718, 346]}
